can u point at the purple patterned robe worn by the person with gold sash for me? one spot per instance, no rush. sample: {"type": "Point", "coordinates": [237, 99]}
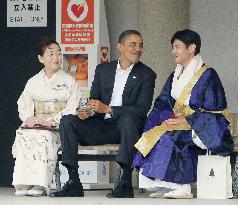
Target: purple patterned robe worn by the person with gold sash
{"type": "Point", "coordinates": [174, 156]}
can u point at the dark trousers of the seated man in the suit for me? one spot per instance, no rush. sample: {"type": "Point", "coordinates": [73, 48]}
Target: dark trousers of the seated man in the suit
{"type": "Point", "coordinates": [124, 131]}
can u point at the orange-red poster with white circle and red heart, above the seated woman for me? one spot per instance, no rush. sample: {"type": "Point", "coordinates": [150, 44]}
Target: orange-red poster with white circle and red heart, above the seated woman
{"type": "Point", "coordinates": [77, 22]}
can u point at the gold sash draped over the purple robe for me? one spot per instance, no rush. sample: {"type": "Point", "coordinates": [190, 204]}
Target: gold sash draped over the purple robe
{"type": "Point", "coordinates": [151, 137]}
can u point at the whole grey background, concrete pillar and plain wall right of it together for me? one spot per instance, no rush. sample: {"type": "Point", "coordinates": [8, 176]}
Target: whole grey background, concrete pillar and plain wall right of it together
{"type": "Point", "coordinates": [215, 20]}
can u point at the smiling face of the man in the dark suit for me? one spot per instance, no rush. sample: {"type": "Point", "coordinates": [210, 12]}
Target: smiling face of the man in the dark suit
{"type": "Point", "coordinates": [130, 50]}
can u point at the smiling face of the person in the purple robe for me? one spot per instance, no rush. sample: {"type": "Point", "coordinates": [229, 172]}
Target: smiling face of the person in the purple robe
{"type": "Point", "coordinates": [182, 54]}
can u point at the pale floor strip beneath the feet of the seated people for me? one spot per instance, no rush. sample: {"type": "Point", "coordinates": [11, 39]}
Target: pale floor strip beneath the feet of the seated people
{"type": "Point", "coordinates": [7, 197]}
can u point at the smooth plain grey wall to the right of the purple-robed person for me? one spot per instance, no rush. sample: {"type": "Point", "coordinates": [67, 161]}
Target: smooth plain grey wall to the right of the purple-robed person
{"type": "Point", "coordinates": [217, 23]}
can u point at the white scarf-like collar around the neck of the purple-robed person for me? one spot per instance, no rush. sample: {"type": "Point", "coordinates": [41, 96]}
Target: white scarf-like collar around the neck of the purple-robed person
{"type": "Point", "coordinates": [182, 77]}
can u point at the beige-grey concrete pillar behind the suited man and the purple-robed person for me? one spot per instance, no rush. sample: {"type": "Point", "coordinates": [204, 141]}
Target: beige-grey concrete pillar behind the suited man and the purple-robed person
{"type": "Point", "coordinates": [157, 20]}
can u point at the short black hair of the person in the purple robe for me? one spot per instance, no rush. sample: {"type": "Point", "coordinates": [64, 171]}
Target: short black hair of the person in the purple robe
{"type": "Point", "coordinates": [188, 37]}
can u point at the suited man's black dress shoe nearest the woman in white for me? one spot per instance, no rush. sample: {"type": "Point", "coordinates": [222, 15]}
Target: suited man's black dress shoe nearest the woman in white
{"type": "Point", "coordinates": [70, 189]}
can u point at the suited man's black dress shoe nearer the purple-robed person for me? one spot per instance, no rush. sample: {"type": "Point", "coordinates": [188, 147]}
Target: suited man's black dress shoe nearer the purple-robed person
{"type": "Point", "coordinates": [123, 190]}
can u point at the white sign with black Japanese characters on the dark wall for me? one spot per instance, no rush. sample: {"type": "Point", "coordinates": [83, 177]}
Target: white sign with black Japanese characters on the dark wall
{"type": "Point", "coordinates": [26, 13]}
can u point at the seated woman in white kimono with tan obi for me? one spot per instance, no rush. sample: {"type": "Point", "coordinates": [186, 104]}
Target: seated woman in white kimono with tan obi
{"type": "Point", "coordinates": [47, 96]}
